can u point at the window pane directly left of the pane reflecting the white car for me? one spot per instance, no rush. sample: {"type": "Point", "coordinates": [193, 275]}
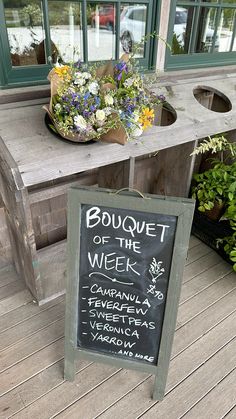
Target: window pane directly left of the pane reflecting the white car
{"type": "Point", "coordinates": [101, 31]}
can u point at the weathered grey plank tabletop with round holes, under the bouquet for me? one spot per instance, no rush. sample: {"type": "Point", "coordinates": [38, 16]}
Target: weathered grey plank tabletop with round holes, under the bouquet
{"type": "Point", "coordinates": [42, 157]}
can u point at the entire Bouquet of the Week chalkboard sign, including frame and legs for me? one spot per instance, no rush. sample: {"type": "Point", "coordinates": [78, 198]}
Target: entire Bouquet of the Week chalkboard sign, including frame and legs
{"type": "Point", "coordinates": [147, 274]}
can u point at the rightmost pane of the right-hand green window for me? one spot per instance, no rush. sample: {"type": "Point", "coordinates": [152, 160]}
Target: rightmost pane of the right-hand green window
{"type": "Point", "coordinates": [225, 29]}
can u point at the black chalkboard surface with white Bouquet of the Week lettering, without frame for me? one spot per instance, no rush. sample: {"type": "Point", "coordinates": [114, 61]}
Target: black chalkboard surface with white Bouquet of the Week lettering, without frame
{"type": "Point", "coordinates": [125, 259]}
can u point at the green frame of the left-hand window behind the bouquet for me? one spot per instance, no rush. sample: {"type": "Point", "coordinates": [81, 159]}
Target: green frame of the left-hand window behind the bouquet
{"type": "Point", "coordinates": [36, 74]}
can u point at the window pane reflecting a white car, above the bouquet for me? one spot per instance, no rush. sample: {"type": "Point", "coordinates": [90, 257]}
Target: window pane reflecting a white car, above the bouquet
{"type": "Point", "coordinates": [133, 28]}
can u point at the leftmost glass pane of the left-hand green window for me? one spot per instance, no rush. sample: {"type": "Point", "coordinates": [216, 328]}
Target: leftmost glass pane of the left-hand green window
{"type": "Point", "coordinates": [25, 32]}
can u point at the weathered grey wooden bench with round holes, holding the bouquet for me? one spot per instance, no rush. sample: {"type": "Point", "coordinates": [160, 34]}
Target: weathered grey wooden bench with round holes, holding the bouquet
{"type": "Point", "coordinates": [37, 168]}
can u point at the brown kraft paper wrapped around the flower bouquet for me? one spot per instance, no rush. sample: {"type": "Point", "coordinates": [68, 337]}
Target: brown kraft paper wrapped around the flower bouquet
{"type": "Point", "coordinates": [114, 135]}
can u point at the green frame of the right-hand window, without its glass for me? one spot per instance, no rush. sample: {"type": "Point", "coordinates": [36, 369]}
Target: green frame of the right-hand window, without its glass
{"type": "Point", "coordinates": [197, 60]}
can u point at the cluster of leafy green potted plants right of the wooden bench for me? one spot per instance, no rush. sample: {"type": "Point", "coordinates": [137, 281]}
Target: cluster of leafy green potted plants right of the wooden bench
{"type": "Point", "coordinates": [215, 193]}
